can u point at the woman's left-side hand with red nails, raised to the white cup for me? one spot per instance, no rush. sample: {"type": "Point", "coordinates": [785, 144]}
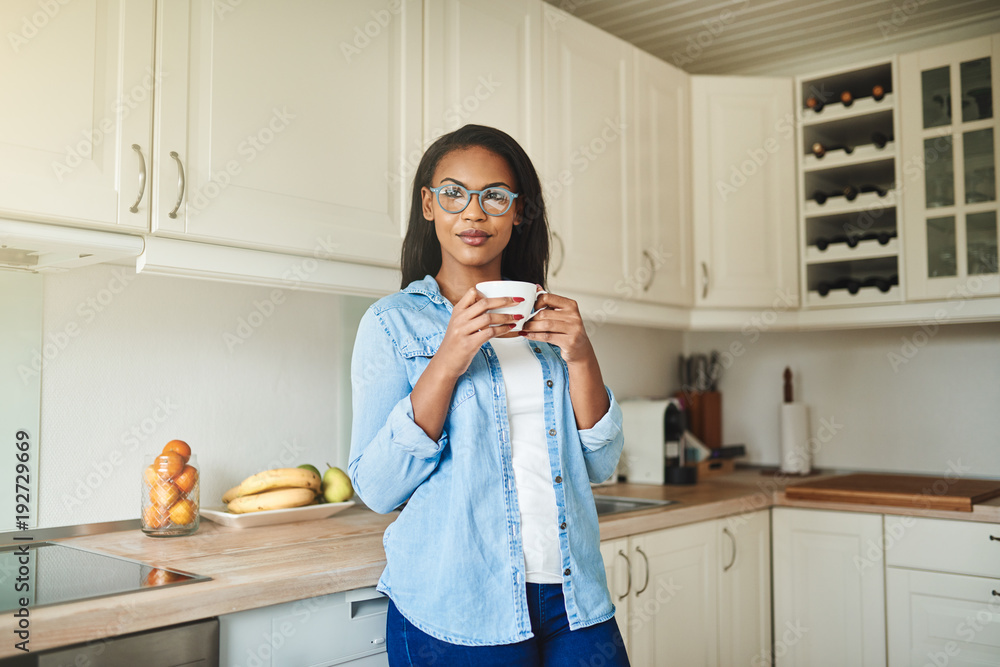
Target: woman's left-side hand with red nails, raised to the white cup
{"type": "Point", "coordinates": [469, 327]}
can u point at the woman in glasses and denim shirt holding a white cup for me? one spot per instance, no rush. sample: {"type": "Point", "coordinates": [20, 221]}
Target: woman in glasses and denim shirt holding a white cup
{"type": "Point", "coordinates": [490, 438]}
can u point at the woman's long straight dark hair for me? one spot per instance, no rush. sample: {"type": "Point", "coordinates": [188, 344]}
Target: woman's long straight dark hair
{"type": "Point", "coordinates": [526, 256]}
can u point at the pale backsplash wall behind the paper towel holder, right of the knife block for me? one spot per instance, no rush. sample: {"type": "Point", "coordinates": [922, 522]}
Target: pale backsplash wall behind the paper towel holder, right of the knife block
{"type": "Point", "coordinates": [914, 399]}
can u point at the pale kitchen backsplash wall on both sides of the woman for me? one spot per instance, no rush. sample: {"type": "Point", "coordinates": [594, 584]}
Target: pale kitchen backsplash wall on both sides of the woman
{"type": "Point", "coordinates": [254, 377]}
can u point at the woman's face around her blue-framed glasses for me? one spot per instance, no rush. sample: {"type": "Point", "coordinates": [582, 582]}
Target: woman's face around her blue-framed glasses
{"type": "Point", "coordinates": [471, 239]}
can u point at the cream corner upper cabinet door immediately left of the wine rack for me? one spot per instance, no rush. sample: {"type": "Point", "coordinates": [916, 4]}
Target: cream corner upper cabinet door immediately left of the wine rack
{"type": "Point", "coordinates": [743, 168]}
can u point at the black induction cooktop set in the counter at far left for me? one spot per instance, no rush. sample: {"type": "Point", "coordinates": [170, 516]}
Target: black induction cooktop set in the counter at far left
{"type": "Point", "coordinates": [47, 573]}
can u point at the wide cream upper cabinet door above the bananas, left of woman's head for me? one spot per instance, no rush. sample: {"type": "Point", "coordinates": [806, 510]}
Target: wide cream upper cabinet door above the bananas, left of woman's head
{"type": "Point", "coordinates": [292, 126]}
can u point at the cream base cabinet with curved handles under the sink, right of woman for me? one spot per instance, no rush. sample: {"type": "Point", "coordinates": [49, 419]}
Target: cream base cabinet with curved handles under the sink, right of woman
{"type": "Point", "coordinates": [697, 594]}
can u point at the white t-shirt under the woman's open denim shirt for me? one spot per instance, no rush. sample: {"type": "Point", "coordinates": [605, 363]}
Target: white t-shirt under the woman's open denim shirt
{"type": "Point", "coordinates": [523, 382]}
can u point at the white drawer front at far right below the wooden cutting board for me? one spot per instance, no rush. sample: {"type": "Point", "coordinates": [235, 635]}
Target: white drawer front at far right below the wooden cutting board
{"type": "Point", "coordinates": [941, 545]}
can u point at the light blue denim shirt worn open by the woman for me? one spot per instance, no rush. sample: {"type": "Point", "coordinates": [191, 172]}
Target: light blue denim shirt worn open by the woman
{"type": "Point", "coordinates": [455, 565]}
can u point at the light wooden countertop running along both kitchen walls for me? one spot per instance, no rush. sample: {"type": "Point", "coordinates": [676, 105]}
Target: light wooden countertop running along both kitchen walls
{"type": "Point", "coordinates": [257, 567]}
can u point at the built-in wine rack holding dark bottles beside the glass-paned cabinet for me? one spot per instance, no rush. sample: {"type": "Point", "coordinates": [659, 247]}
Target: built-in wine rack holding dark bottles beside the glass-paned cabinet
{"type": "Point", "coordinates": [849, 198]}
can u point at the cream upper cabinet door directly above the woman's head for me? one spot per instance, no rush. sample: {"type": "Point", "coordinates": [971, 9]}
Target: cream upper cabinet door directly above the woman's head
{"type": "Point", "coordinates": [484, 66]}
